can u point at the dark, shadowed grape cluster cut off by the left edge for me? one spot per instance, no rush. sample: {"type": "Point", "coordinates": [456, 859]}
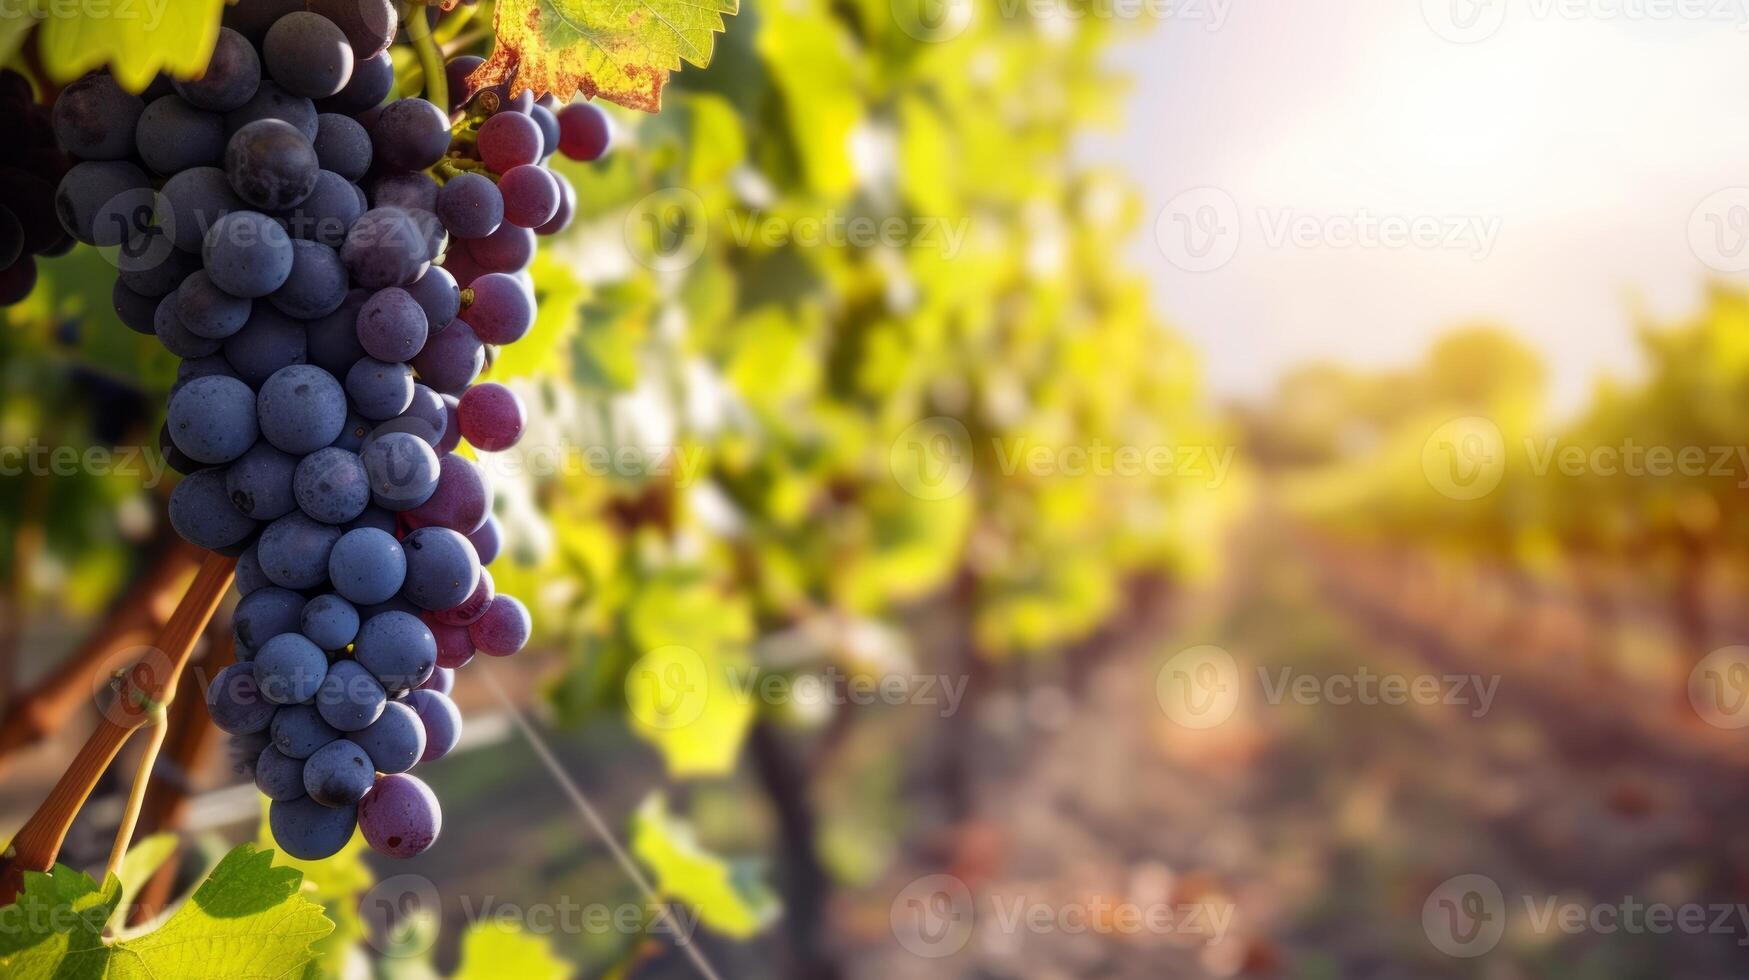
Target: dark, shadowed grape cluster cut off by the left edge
{"type": "Point", "coordinates": [31, 167]}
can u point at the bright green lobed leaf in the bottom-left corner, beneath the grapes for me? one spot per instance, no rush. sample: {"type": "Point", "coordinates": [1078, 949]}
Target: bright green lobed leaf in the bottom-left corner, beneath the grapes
{"type": "Point", "coordinates": [246, 921]}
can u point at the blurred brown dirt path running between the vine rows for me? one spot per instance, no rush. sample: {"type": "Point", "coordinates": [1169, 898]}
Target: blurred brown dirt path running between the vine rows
{"type": "Point", "coordinates": [1304, 837]}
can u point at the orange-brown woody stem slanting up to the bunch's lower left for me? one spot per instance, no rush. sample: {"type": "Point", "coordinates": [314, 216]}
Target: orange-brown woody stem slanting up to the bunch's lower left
{"type": "Point", "coordinates": [144, 690]}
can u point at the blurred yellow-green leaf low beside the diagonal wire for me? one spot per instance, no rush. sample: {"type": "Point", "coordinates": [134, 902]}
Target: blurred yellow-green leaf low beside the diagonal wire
{"type": "Point", "coordinates": [725, 895]}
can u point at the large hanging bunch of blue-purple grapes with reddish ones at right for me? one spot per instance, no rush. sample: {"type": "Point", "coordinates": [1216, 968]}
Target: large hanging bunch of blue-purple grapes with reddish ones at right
{"type": "Point", "coordinates": [335, 270]}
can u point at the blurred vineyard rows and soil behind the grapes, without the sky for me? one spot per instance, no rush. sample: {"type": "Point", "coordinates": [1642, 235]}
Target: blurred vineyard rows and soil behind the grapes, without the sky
{"type": "Point", "coordinates": [772, 468]}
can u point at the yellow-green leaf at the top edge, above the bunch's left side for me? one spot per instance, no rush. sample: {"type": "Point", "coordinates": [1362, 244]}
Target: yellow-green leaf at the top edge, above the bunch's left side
{"type": "Point", "coordinates": [137, 39]}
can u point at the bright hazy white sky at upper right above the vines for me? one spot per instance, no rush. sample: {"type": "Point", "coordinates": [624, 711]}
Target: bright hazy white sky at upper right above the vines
{"type": "Point", "coordinates": [1589, 141]}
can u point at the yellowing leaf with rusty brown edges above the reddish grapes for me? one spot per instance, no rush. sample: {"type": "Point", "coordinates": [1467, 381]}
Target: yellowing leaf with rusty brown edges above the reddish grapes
{"type": "Point", "coordinates": [615, 50]}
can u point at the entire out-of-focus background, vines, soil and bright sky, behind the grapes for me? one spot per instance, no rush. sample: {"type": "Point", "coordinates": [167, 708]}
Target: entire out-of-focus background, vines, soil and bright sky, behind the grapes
{"type": "Point", "coordinates": [1056, 489]}
